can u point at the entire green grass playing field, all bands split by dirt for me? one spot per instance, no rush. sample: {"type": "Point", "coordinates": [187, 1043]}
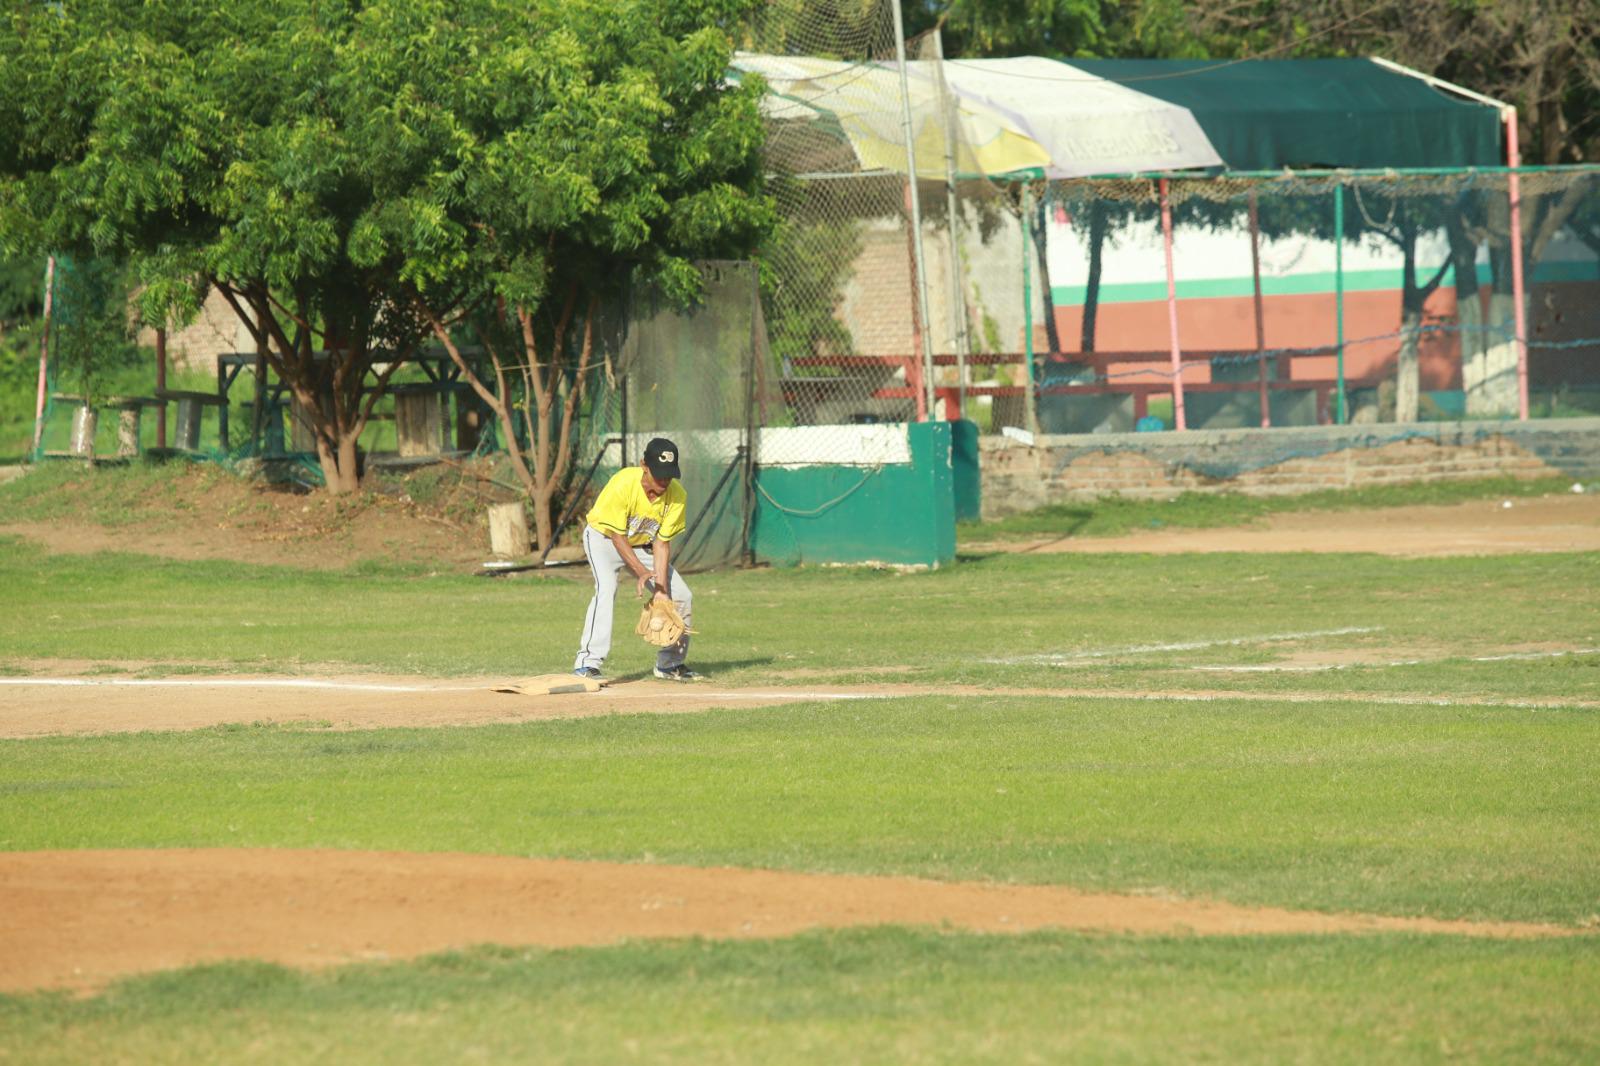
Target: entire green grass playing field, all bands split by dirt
{"type": "Point", "coordinates": [1369, 748]}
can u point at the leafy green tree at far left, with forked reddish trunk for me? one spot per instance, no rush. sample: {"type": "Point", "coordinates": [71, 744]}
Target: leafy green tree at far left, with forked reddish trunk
{"type": "Point", "coordinates": [212, 145]}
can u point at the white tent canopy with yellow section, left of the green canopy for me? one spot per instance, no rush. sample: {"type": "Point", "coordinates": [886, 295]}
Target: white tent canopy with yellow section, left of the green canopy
{"type": "Point", "coordinates": [1009, 118]}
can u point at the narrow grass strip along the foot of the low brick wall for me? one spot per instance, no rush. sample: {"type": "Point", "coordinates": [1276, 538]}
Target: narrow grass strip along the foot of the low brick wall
{"type": "Point", "coordinates": [1116, 516]}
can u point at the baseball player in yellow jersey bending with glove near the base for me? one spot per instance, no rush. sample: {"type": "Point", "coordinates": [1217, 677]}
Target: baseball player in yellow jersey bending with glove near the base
{"type": "Point", "coordinates": [631, 526]}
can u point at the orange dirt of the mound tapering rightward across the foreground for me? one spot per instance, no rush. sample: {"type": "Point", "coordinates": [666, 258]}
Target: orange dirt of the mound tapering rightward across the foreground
{"type": "Point", "coordinates": [79, 920]}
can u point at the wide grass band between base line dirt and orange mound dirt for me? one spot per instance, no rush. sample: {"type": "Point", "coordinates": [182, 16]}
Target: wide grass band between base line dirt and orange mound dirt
{"type": "Point", "coordinates": [1404, 811]}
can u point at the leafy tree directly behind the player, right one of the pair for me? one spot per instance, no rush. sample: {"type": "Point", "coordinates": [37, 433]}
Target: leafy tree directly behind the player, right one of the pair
{"type": "Point", "coordinates": [538, 159]}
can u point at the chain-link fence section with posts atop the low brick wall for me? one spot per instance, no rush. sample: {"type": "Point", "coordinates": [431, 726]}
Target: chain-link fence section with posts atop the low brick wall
{"type": "Point", "coordinates": [1318, 299]}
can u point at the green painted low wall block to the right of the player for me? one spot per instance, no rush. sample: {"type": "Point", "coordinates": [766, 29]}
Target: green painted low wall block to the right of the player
{"type": "Point", "coordinates": [900, 515]}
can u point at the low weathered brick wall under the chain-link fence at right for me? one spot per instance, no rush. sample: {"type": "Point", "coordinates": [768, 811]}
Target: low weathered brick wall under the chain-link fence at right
{"type": "Point", "coordinates": [1278, 462]}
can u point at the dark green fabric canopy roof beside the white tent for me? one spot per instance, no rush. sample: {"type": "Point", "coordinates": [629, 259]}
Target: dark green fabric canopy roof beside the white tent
{"type": "Point", "coordinates": [1268, 114]}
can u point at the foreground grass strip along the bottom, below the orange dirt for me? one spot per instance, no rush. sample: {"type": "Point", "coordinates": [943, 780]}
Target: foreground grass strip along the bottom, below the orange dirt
{"type": "Point", "coordinates": [860, 996]}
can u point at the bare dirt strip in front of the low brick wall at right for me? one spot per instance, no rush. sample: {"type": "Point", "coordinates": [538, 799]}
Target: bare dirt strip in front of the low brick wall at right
{"type": "Point", "coordinates": [1543, 524]}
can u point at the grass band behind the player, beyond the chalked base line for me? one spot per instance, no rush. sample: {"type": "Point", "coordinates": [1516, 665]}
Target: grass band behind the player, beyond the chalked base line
{"type": "Point", "coordinates": [1124, 623]}
